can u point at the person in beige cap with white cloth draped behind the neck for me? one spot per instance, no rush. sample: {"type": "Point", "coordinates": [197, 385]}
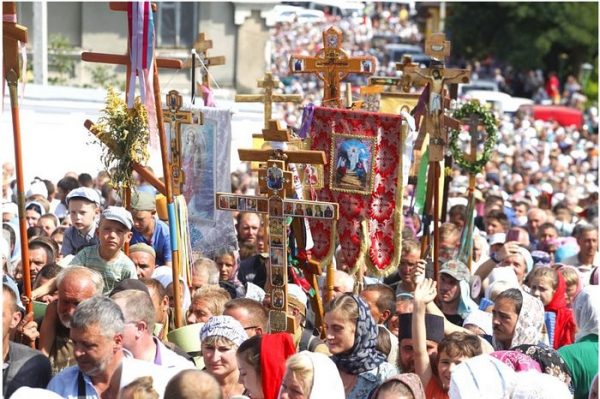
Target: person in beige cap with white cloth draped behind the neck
{"type": "Point", "coordinates": [454, 291]}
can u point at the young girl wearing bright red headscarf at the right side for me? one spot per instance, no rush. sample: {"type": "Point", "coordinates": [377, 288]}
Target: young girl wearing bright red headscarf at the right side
{"type": "Point", "coordinates": [548, 285]}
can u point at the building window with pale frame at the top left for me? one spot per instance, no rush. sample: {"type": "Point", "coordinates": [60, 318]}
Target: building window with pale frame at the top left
{"type": "Point", "coordinates": [176, 24]}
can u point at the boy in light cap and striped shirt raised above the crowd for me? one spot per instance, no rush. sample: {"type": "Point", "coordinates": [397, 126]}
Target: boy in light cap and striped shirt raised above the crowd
{"type": "Point", "coordinates": [107, 258]}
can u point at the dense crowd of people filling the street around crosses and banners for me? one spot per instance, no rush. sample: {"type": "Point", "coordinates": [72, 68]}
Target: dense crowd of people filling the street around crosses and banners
{"type": "Point", "coordinates": [518, 320]}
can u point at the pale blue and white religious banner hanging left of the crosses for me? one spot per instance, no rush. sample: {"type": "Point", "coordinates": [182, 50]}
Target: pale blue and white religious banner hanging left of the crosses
{"type": "Point", "coordinates": [205, 157]}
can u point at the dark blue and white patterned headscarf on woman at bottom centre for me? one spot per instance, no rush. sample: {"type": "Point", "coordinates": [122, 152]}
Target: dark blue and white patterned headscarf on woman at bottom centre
{"type": "Point", "coordinates": [363, 356]}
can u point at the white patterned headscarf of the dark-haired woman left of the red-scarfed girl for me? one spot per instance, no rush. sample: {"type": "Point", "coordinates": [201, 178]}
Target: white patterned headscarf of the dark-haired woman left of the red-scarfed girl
{"type": "Point", "coordinates": [530, 322]}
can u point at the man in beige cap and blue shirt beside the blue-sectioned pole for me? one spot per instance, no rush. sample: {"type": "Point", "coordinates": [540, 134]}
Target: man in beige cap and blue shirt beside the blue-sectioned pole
{"type": "Point", "coordinates": [149, 229]}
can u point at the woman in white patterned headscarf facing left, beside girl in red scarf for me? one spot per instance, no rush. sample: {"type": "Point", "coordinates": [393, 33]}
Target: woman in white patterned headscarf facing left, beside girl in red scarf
{"type": "Point", "coordinates": [517, 319]}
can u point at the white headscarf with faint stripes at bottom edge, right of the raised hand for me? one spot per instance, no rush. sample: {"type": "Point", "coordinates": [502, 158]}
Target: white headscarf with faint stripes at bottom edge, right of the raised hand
{"type": "Point", "coordinates": [482, 377]}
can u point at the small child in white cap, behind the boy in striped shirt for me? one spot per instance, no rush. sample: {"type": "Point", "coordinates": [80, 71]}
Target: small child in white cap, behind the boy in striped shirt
{"type": "Point", "coordinates": [84, 208]}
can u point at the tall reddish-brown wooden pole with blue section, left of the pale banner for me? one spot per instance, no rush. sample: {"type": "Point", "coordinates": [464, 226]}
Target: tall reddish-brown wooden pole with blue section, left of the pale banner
{"type": "Point", "coordinates": [170, 202]}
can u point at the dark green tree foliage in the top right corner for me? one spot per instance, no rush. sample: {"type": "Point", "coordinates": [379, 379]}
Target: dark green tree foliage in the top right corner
{"type": "Point", "coordinates": [527, 35]}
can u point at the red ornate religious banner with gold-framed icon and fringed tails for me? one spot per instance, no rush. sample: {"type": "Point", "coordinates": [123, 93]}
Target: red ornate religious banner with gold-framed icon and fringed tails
{"type": "Point", "coordinates": [363, 175]}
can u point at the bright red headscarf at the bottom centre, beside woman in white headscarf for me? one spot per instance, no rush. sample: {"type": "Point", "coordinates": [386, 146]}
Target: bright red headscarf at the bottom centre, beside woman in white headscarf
{"type": "Point", "coordinates": [274, 351]}
